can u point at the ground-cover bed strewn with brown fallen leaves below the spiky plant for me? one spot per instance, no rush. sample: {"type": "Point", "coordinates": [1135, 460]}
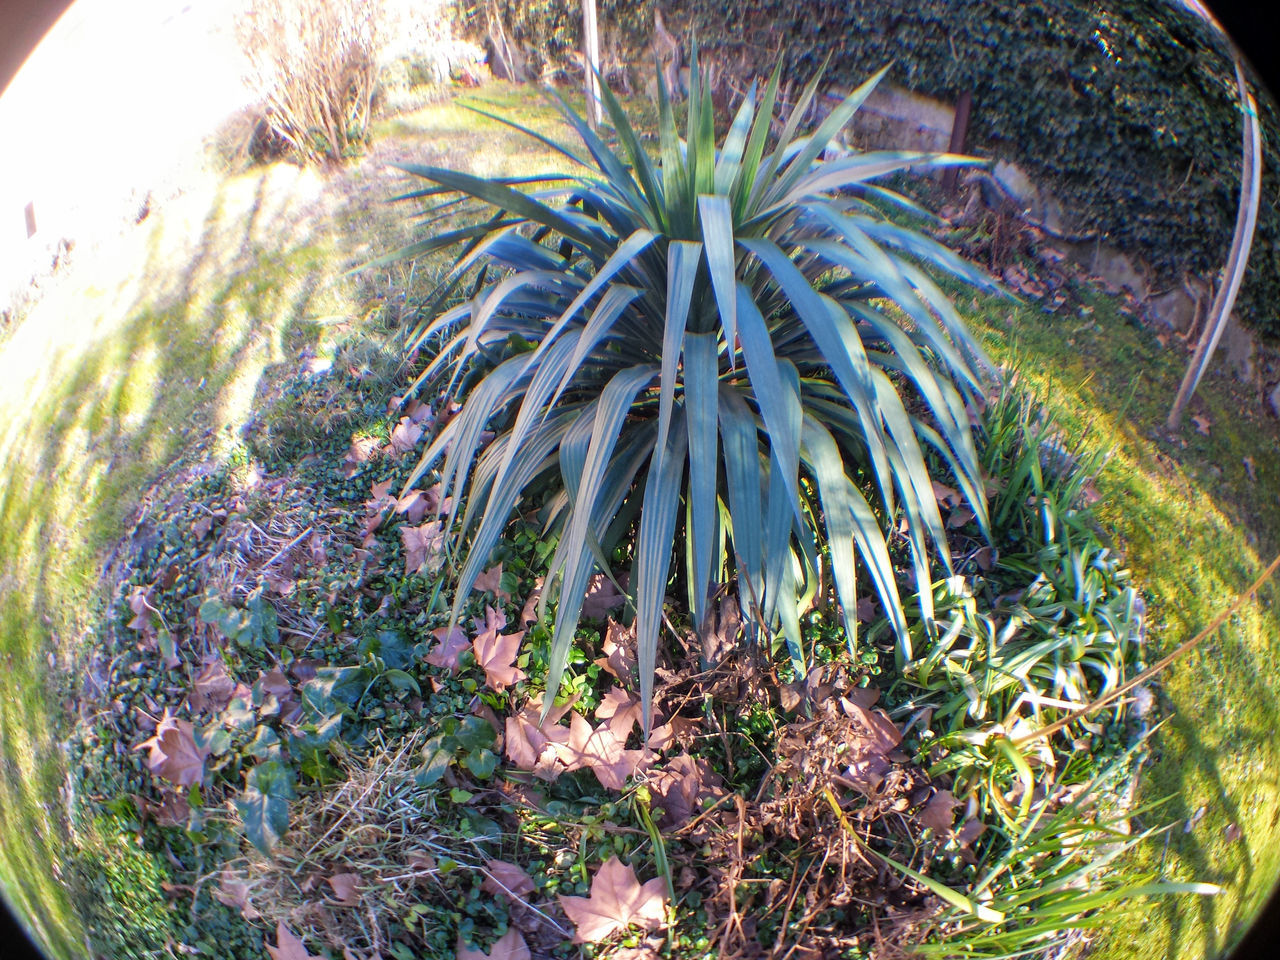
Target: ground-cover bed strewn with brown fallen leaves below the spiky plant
{"type": "Point", "coordinates": [282, 719]}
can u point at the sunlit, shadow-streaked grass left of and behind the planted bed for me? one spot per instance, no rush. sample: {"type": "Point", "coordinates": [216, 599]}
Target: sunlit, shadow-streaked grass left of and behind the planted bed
{"type": "Point", "coordinates": [141, 359]}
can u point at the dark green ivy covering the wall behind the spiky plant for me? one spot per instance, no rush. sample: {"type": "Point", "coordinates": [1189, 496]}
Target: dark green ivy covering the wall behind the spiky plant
{"type": "Point", "coordinates": [1127, 109]}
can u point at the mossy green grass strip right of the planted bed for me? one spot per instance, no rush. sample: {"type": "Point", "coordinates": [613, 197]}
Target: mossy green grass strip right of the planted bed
{"type": "Point", "coordinates": [1196, 529]}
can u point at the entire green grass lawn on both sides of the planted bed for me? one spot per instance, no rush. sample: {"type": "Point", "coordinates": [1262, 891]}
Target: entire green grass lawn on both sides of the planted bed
{"type": "Point", "coordinates": [113, 380]}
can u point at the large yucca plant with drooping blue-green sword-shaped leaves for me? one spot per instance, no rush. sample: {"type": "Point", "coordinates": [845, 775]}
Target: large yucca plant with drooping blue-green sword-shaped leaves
{"type": "Point", "coordinates": [733, 341]}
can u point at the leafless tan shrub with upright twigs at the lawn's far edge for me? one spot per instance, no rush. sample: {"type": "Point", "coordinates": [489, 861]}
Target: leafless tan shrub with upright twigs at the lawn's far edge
{"type": "Point", "coordinates": [314, 62]}
